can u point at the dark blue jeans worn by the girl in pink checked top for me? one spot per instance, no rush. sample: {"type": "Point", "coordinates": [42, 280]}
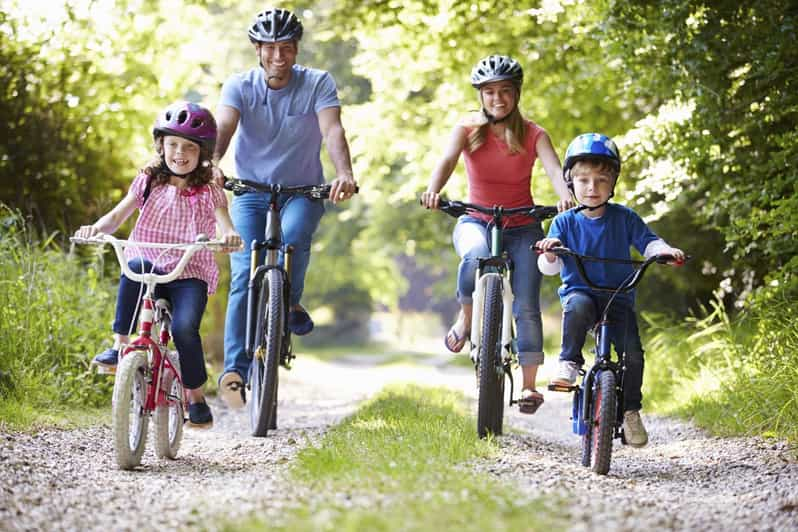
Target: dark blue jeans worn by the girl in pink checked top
{"type": "Point", "coordinates": [188, 298]}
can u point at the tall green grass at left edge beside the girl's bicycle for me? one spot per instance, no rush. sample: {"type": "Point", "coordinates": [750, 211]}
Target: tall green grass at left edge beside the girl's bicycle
{"type": "Point", "coordinates": [50, 312]}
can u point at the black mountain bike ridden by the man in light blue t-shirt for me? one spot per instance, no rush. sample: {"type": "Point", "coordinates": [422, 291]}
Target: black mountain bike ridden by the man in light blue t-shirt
{"type": "Point", "coordinates": [268, 339]}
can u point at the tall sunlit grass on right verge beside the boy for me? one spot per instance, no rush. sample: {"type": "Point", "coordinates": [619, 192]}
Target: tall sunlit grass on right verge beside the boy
{"type": "Point", "coordinates": [733, 375]}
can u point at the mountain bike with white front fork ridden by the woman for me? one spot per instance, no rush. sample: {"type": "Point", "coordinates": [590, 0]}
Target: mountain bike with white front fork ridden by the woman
{"type": "Point", "coordinates": [493, 346]}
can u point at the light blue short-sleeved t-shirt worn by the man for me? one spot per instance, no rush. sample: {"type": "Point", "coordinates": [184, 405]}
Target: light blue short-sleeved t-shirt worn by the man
{"type": "Point", "coordinates": [278, 139]}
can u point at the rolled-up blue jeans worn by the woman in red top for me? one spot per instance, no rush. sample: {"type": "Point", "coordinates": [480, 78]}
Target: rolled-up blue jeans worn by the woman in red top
{"type": "Point", "coordinates": [472, 241]}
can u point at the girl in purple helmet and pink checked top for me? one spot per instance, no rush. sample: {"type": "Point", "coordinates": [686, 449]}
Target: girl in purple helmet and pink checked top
{"type": "Point", "coordinates": [177, 201]}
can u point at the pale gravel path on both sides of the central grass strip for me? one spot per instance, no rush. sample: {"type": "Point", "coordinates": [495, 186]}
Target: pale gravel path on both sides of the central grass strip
{"type": "Point", "coordinates": [683, 480]}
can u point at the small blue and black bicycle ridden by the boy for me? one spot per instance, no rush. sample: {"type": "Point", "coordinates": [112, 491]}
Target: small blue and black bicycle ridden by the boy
{"type": "Point", "coordinates": [597, 414]}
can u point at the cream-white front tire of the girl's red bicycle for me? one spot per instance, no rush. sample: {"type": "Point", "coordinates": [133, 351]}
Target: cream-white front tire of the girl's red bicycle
{"type": "Point", "coordinates": [129, 417]}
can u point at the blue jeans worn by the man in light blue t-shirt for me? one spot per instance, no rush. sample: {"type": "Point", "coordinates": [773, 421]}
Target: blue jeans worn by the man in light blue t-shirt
{"type": "Point", "coordinates": [300, 218]}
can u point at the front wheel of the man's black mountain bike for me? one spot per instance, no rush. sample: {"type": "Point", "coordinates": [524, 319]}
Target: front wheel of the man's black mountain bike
{"type": "Point", "coordinates": [265, 363]}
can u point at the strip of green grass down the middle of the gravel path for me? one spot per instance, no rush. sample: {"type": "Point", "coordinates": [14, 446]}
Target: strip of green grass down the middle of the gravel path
{"type": "Point", "coordinates": [402, 463]}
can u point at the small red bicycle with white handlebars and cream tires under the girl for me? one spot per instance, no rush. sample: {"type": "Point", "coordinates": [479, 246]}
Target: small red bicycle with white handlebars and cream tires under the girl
{"type": "Point", "coordinates": [148, 379]}
